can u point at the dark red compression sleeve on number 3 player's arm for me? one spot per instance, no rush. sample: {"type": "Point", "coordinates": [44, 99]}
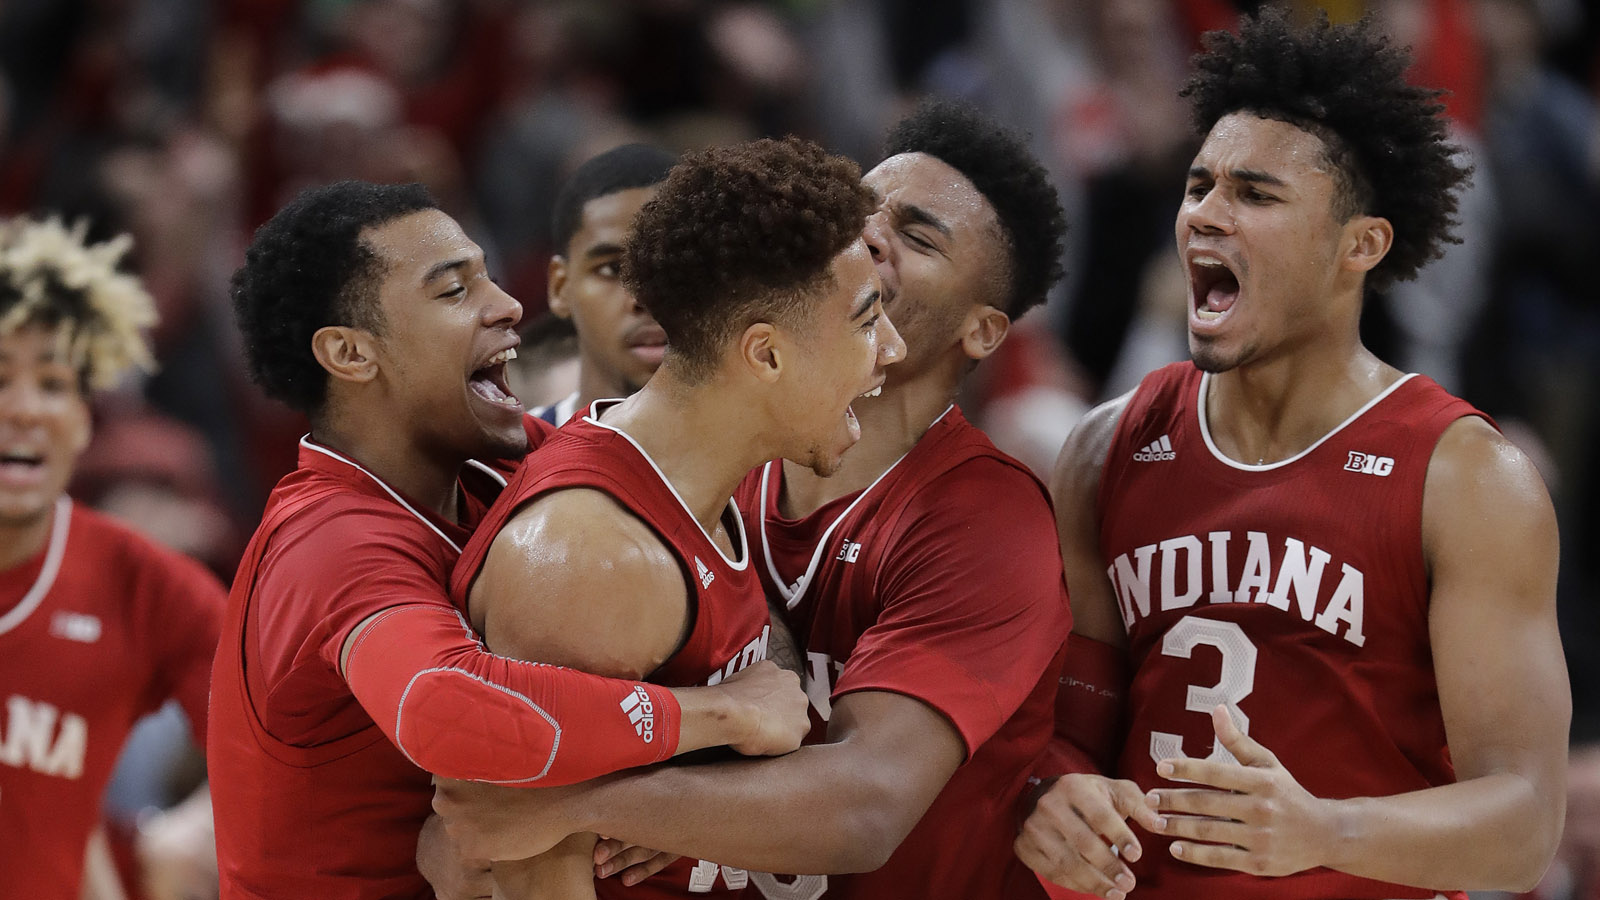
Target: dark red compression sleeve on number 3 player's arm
{"type": "Point", "coordinates": [1089, 710]}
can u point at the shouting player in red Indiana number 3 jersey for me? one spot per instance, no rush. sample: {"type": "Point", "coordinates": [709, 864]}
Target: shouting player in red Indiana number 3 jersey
{"type": "Point", "coordinates": [1334, 584]}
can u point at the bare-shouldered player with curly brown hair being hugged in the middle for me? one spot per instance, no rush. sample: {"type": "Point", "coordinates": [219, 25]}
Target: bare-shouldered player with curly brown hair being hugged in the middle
{"type": "Point", "coordinates": [751, 259]}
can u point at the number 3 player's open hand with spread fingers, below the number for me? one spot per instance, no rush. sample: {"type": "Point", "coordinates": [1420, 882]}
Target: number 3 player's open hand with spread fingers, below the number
{"type": "Point", "coordinates": [1252, 818]}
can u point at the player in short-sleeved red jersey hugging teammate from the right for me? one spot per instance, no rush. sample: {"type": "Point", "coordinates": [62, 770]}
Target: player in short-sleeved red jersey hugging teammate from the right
{"type": "Point", "coordinates": [922, 581]}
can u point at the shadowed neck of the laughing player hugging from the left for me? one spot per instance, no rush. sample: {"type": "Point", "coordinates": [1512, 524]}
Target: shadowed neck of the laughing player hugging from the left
{"type": "Point", "coordinates": [418, 473]}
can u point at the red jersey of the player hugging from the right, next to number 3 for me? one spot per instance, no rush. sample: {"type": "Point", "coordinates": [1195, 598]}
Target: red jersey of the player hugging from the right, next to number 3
{"type": "Point", "coordinates": [942, 582]}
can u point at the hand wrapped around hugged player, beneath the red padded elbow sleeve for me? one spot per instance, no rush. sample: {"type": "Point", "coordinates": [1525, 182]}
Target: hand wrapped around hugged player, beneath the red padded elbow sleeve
{"type": "Point", "coordinates": [490, 822]}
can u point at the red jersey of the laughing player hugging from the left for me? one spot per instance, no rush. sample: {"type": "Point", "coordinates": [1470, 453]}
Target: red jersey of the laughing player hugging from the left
{"type": "Point", "coordinates": [311, 798]}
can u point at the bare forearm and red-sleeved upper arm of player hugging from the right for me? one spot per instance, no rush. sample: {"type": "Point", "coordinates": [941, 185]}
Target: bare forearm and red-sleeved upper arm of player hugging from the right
{"type": "Point", "coordinates": [921, 691]}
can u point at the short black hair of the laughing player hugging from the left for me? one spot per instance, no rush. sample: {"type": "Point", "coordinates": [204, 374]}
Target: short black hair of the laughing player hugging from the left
{"type": "Point", "coordinates": [308, 268]}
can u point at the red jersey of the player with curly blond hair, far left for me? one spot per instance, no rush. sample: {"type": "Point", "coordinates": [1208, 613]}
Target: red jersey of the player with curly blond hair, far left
{"type": "Point", "coordinates": [95, 632]}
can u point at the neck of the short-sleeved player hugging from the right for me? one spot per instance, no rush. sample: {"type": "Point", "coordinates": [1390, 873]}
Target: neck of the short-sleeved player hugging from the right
{"type": "Point", "coordinates": [892, 424]}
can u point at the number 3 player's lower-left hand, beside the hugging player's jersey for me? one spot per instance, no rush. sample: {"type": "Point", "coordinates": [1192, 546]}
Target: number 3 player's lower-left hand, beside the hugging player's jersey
{"type": "Point", "coordinates": [1076, 822]}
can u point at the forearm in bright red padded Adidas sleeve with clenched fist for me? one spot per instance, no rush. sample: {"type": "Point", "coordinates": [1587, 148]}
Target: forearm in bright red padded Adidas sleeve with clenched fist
{"type": "Point", "coordinates": [463, 712]}
